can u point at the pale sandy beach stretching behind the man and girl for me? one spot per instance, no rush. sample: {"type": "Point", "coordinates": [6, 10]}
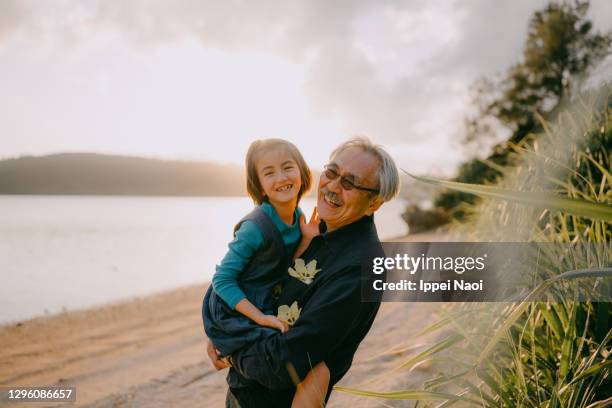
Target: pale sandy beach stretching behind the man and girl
{"type": "Point", "coordinates": [150, 352]}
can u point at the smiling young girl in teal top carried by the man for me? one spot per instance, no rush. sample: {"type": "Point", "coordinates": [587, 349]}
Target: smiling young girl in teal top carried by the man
{"type": "Point", "coordinates": [240, 307]}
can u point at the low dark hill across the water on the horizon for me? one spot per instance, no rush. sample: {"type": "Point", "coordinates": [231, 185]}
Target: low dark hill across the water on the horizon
{"type": "Point", "coordinates": [98, 174]}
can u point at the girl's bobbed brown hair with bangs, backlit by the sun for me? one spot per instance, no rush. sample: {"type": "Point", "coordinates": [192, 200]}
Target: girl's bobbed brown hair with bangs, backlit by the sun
{"type": "Point", "coordinates": [254, 188]}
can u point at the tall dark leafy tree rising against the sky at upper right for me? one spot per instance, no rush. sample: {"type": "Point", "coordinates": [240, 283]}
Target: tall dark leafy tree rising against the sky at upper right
{"type": "Point", "coordinates": [560, 49]}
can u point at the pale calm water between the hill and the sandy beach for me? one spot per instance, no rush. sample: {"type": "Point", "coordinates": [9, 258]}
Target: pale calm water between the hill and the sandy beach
{"type": "Point", "coordinates": [65, 252]}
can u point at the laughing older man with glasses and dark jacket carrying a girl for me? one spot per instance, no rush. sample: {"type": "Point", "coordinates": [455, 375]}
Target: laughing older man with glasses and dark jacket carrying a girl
{"type": "Point", "coordinates": [333, 320]}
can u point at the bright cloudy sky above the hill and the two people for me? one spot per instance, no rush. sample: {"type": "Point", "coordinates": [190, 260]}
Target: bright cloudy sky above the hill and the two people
{"type": "Point", "coordinates": [201, 79]}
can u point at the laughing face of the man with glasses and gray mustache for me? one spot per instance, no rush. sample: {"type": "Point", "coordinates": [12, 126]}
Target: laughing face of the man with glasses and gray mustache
{"type": "Point", "coordinates": [339, 207]}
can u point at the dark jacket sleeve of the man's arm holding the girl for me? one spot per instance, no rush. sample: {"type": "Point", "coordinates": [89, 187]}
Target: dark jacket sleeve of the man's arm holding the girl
{"type": "Point", "coordinates": [280, 360]}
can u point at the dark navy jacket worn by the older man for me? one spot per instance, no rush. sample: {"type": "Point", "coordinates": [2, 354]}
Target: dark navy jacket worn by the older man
{"type": "Point", "coordinates": [332, 322]}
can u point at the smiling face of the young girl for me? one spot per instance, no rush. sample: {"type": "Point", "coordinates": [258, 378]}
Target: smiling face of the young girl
{"type": "Point", "coordinates": [279, 176]}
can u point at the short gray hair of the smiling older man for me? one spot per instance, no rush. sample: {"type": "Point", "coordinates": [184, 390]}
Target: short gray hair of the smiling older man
{"type": "Point", "coordinates": [388, 176]}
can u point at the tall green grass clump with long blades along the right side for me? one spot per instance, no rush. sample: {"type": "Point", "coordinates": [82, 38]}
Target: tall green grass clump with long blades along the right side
{"type": "Point", "coordinates": [553, 353]}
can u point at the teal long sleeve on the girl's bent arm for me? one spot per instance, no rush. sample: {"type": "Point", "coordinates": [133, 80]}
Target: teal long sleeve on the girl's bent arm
{"type": "Point", "coordinates": [247, 241]}
